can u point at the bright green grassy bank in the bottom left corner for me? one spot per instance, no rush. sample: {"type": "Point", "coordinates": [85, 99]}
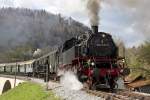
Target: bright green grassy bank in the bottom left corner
{"type": "Point", "coordinates": [28, 91]}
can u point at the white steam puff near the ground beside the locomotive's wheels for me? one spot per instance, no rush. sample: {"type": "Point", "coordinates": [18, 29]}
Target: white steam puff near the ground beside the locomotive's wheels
{"type": "Point", "coordinates": [70, 81]}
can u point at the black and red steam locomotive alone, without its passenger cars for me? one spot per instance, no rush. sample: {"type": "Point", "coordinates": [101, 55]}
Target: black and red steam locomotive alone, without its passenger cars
{"type": "Point", "coordinates": [93, 57]}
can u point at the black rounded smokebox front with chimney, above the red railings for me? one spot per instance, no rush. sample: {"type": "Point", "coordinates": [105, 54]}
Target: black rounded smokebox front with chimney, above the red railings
{"type": "Point", "coordinates": [100, 44]}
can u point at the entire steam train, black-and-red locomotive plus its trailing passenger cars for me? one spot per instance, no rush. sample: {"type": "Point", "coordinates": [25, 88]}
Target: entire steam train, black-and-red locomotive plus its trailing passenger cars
{"type": "Point", "coordinates": [92, 57]}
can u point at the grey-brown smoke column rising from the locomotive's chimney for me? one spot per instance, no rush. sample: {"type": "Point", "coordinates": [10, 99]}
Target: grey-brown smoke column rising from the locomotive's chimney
{"type": "Point", "coordinates": [93, 7]}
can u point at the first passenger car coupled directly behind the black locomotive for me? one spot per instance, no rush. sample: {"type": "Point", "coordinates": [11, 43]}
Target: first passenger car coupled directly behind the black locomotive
{"type": "Point", "coordinates": [46, 66]}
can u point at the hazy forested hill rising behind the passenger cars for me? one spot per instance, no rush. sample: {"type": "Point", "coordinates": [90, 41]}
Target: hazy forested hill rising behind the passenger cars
{"type": "Point", "coordinates": [24, 30]}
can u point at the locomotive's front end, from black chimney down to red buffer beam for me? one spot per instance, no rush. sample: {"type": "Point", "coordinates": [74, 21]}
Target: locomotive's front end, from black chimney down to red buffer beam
{"type": "Point", "coordinates": [102, 54]}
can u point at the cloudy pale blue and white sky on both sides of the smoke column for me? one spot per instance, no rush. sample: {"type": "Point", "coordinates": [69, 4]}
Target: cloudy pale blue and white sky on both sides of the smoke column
{"type": "Point", "coordinates": [126, 20]}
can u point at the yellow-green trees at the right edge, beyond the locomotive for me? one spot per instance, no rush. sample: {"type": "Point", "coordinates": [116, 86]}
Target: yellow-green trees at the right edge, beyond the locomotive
{"type": "Point", "coordinates": [138, 59]}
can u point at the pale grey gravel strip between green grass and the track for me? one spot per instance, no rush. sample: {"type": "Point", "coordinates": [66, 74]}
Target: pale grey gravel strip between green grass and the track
{"type": "Point", "coordinates": [67, 94]}
